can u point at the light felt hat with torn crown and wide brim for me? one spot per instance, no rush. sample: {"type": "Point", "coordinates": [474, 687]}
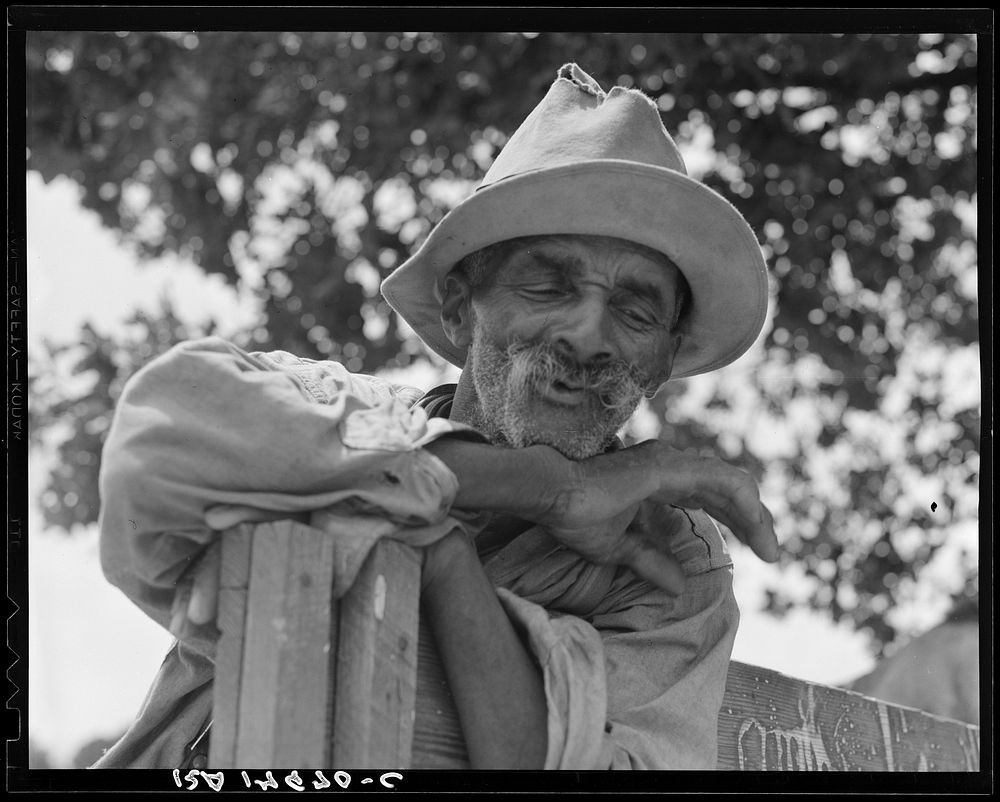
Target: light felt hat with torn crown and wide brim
{"type": "Point", "coordinates": [589, 162]}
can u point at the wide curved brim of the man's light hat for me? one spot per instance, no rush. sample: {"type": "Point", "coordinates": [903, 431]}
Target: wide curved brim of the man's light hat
{"type": "Point", "coordinates": [698, 229]}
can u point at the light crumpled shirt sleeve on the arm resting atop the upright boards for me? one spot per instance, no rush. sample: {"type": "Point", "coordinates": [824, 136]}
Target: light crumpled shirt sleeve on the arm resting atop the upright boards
{"type": "Point", "coordinates": [208, 435]}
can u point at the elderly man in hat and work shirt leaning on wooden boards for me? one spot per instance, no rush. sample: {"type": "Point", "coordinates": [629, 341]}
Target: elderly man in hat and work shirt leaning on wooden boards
{"type": "Point", "coordinates": [579, 592]}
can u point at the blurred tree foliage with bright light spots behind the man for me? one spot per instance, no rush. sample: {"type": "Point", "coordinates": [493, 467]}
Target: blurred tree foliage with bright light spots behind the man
{"type": "Point", "coordinates": [311, 164]}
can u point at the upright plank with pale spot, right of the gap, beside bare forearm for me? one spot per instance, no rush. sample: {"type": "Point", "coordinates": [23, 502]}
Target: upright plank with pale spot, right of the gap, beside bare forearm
{"type": "Point", "coordinates": [377, 661]}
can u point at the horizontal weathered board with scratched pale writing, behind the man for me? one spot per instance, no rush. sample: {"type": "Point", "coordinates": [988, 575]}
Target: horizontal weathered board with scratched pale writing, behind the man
{"type": "Point", "coordinates": [770, 722]}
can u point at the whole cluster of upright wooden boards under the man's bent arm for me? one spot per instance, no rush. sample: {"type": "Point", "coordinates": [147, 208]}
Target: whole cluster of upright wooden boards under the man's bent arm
{"type": "Point", "coordinates": [303, 681]}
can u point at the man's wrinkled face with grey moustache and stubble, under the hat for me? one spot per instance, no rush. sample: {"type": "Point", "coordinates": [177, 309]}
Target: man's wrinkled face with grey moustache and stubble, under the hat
{"type": "Point", "coordinates": [567, 334]}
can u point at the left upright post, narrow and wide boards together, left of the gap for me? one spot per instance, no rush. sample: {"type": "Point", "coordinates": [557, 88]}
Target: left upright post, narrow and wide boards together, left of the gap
{"type": "Point", "coordinates": [273, 709]}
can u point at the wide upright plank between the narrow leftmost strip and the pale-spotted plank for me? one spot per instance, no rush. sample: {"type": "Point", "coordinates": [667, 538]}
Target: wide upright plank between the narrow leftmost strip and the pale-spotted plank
{"type": "Point", "coordinates": [282, 720]}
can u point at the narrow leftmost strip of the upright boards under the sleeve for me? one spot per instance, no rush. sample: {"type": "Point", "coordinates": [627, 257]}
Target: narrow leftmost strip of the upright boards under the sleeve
{"type": "Point", "coordinates": [234, 576]}
